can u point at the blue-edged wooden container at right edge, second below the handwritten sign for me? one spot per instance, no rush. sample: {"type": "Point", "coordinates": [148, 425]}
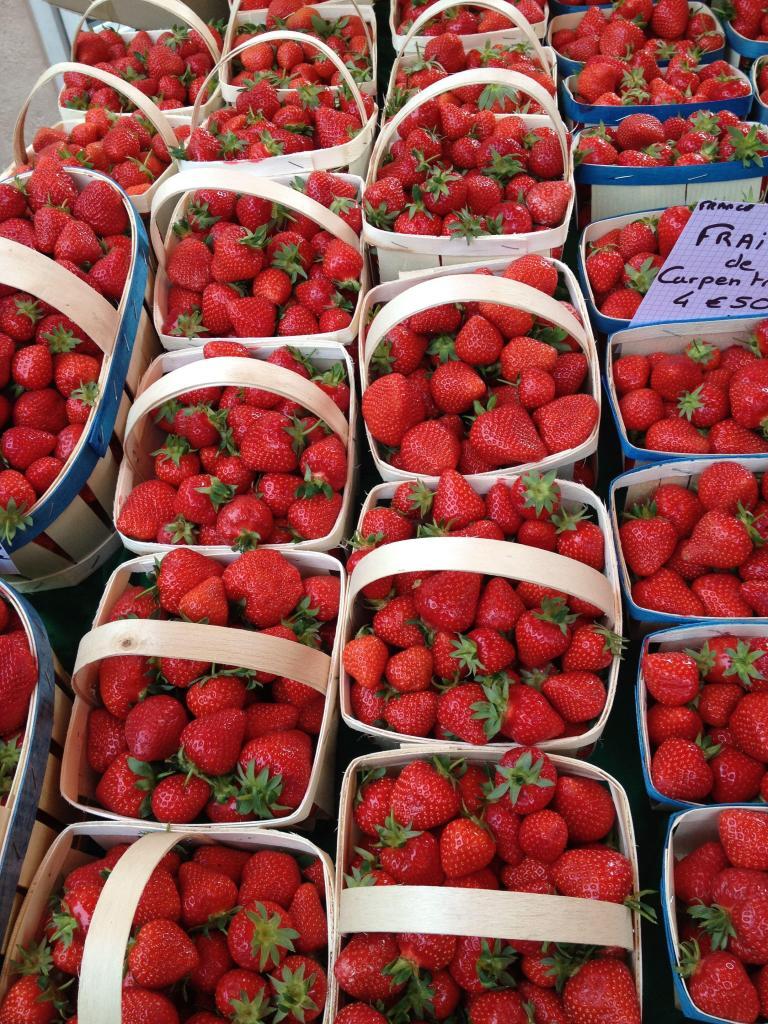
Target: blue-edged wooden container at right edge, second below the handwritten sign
{"type": "Point", "coordinates": [637, 486]}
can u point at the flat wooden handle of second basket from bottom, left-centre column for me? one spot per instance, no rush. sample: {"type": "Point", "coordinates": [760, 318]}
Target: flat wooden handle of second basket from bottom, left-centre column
{"type": "Point", "coordinates": [200, 643]}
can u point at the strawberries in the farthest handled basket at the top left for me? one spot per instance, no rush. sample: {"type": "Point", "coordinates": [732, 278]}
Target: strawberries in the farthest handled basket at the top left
{"type": "Point", "coordinates": [170, 70]}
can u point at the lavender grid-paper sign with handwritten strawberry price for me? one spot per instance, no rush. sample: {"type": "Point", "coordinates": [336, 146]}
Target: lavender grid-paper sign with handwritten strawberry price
{"type": "Point", "coordinates": [718, 268]}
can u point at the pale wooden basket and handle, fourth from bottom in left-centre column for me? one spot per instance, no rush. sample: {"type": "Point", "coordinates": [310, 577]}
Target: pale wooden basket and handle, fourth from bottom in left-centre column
{"type": "Point", "coordinates": [235, 178]}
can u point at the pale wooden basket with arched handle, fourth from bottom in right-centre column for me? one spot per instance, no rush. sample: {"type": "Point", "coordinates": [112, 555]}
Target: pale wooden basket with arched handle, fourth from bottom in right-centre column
{"type": "Point", "coordinates": [397, 253]}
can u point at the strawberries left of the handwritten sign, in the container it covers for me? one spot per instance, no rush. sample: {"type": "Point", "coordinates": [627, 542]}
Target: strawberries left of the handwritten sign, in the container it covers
{"type": "Point", "coordinates": [622, 265]}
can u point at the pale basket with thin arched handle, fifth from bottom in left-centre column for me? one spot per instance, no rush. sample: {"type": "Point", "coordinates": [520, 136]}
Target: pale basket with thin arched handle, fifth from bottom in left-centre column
{"type": "Point", "coordinates": [352, 156]}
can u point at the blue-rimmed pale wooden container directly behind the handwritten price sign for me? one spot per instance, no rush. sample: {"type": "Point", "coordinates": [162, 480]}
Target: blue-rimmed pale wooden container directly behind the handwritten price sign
{"type": "Point", "coordinates": [617, 190]}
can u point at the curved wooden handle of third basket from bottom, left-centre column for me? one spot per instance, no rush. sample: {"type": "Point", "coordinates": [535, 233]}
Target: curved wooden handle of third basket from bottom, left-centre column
{"type": "Point", "coordinates": [231, 371]}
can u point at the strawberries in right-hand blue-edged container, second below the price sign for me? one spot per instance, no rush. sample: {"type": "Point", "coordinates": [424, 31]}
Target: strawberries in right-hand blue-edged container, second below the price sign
{"type": "Point", "coordinates": [701, 552]}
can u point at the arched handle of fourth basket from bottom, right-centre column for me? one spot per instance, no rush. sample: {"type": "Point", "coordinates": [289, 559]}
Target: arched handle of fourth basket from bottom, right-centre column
{"type": "Point", "coordinates": [478, 76]}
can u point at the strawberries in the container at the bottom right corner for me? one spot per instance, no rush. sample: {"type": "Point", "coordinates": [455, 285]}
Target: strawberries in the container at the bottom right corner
{"type": "Point", "coordinates": [721, 889]}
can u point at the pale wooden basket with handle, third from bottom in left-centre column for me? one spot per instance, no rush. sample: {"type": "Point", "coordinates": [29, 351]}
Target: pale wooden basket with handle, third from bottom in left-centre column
{"type": "Point", "coordinates": [174, 374]}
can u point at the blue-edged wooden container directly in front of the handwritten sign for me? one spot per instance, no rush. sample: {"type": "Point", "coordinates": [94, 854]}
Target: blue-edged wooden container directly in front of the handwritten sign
{"type": "Point", "coordinates": [673, 338]}
